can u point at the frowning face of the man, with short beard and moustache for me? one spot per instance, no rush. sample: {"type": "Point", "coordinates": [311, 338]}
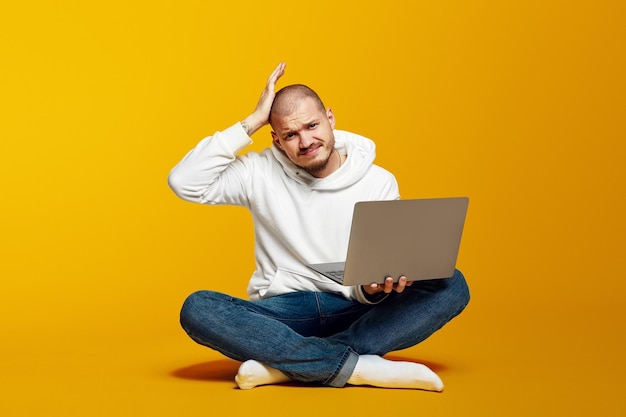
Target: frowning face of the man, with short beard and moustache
{"type": "Point", "coordinates": [306, 137]}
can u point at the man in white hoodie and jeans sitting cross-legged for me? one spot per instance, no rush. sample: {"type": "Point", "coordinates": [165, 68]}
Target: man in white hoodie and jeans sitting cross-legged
{"type": "Point", "coordinates": [299, 325]}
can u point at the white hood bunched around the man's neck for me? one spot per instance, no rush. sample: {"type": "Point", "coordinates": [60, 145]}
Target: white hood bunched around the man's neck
{"type": "Point", "coordinates": [361, 153]}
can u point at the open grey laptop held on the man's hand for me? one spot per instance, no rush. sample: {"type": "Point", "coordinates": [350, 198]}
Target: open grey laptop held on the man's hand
{"type": "Point", "coordinates": [417, 238]}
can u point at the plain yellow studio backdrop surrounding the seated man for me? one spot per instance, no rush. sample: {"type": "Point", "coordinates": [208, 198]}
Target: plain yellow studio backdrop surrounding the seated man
{"type": "Point", "coordinates": [518, 105]}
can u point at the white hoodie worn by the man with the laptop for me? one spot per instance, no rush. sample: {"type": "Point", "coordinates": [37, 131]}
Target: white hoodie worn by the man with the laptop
{"type": "Point", "coordinates": [298, 219]}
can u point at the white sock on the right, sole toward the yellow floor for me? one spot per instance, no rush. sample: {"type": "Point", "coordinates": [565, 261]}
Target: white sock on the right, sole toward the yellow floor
{"type": "Point", "coordinates": [376, 371]}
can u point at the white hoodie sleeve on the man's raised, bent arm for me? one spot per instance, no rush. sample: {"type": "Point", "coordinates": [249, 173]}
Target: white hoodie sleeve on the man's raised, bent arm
{"type": "Point", "coordinates": [194, 176]}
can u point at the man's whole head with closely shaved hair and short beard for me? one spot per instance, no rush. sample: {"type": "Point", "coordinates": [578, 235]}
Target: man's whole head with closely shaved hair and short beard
{"type": "Point", "coordinates": [303, 129]}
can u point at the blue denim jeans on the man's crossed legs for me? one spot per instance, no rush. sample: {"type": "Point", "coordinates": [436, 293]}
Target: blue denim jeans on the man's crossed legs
{"type": "Point", "coordinates": [318, 337]}
